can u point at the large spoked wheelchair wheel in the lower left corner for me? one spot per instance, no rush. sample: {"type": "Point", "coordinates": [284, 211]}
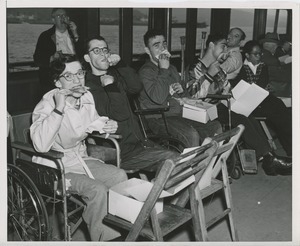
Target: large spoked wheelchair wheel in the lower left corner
{"type": "Point", "coordinates": [27, 215]}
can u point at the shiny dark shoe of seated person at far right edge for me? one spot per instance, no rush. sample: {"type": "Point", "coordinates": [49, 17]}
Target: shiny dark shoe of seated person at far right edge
{"type": "Point", "coordinates": [277, 165]}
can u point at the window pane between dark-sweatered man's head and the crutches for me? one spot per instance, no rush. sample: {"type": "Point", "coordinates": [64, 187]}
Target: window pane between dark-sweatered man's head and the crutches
{"type": "Point", "coordinates": [178, 28]}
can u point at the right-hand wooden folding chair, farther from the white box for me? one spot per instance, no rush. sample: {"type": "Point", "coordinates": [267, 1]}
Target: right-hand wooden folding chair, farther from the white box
{"type": "Point", "coordinates": [209, 184]}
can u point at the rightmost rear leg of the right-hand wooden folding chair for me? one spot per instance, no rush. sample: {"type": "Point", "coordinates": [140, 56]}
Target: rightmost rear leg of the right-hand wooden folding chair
{"type": "Point", "coordinates": [228, 199]}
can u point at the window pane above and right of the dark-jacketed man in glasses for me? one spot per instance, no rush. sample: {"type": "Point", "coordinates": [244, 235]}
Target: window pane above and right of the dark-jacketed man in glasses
{"type": "Point", "coordinates": [109, 27]}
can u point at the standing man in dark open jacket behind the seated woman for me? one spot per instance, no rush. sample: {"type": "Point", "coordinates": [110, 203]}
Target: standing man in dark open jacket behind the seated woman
{"type": "Point", "coordinates": [61, 38]}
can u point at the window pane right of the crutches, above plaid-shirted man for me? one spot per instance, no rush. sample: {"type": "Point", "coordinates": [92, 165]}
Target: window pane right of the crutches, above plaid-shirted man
{"type": "Point", "coordinates": [203, 27]}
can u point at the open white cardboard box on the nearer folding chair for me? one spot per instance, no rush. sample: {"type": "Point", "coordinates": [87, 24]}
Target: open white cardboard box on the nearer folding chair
{"type": "Point", "coordinates": [126, 199]}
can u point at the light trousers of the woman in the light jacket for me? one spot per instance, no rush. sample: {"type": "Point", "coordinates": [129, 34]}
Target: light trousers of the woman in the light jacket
{"type": "Point", "coordinates": [94, 193]}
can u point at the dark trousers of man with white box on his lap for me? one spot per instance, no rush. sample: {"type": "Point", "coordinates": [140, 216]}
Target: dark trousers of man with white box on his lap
{"type": "Point", "coordinates": [189, 132]}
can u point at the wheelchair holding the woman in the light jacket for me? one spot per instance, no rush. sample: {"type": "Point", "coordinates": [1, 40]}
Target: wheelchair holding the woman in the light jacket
{"type": "Point", "coordinates": [40, 208]}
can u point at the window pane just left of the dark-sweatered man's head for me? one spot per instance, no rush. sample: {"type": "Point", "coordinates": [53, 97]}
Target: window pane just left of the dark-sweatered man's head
{"type": "Point", "coordinates": [140, 27]}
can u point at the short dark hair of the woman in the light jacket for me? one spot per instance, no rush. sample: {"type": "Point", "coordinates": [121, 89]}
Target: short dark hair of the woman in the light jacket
{"type": "Point", "coordinates": [58, 65]}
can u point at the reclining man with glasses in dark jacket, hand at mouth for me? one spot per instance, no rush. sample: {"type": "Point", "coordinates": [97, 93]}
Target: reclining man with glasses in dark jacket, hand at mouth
{"type": "Point", "coordinates": [110, 81]}
